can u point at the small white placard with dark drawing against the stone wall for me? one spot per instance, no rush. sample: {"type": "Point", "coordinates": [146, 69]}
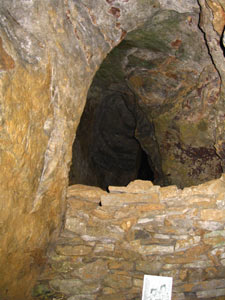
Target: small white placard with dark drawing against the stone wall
{"type": "Point", "coordinates": [157, 288]}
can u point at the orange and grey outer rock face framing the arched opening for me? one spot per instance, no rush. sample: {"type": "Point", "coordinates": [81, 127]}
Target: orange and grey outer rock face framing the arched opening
{"type": "Point", "coordinates": [49, 53]}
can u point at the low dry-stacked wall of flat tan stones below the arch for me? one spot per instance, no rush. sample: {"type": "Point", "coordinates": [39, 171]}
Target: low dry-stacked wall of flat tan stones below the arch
{"type": "Point", "coordinates": [110, 240]}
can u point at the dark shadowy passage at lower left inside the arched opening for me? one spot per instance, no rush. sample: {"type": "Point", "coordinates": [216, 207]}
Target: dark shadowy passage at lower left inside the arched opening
{"type": "Point", "coordinates": [108, 139]}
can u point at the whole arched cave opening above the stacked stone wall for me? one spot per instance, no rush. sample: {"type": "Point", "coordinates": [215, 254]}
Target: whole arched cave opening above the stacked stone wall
{"type": "Point", "coordinates": [154, 94]}
